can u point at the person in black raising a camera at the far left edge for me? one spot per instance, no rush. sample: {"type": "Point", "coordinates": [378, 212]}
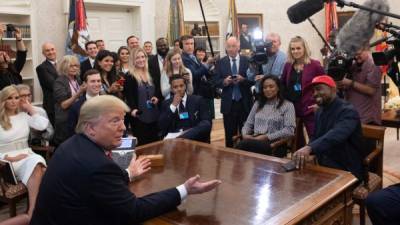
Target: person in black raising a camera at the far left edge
{"type": "Point", "coordinates": [10, 73]}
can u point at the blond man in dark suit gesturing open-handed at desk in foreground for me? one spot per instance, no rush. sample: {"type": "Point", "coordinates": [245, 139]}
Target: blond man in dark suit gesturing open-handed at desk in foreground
{"type": "Point", "coordinates": [82, 185]}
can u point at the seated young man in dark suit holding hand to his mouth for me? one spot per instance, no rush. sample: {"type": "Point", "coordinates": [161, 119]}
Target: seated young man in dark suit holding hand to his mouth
{"type": "Point", "coordinates": [185, 115]}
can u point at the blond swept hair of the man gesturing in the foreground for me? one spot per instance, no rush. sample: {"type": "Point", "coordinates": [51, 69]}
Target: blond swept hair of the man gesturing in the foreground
{"type": "Point", "coordinates": [94, 108]}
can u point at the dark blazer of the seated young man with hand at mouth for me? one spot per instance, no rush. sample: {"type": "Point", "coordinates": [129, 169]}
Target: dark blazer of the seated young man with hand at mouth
{"type": "Point", "coordinates": [199, 116]}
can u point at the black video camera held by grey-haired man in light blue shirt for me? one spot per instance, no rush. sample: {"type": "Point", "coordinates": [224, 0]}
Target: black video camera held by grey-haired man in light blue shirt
{"type": "Point", "coordinates": [260, 55]}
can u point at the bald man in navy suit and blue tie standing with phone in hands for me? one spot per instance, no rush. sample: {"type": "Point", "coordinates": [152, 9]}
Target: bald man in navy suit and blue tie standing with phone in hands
{"type": "Point", "coordinates": [236, 97]}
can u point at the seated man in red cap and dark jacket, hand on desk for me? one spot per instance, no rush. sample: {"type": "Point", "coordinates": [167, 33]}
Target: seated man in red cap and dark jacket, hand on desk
{"type": "Point", "coordinates": [337, 135]}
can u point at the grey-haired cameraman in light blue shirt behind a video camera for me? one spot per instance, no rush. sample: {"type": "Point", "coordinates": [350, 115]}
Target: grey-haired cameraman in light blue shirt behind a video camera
{"type": "Point", "coordinates": [275, 61]}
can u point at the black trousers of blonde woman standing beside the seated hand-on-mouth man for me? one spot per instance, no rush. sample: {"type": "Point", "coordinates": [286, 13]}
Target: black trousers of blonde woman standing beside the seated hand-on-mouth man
{"type": "Point", "coordinates": [144, 132]}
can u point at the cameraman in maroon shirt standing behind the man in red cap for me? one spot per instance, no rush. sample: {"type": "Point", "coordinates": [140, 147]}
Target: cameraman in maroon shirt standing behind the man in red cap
{"type": "Point", "coordinates": [362, 87]}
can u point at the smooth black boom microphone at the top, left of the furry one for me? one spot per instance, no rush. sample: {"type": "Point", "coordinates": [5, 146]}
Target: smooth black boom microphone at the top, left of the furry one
{"type": "Point", "coordinates": [302, 10]}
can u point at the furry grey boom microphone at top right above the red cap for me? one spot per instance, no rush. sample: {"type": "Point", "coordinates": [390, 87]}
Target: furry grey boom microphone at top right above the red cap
{"type": "Point", "coordinates": [357, 32]}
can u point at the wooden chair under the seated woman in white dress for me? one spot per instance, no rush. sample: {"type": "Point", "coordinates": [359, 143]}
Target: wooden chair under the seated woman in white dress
{"type": "Point", "coordinates": [10, 193]}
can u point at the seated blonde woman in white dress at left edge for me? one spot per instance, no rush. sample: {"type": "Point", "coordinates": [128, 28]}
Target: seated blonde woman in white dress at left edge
{"type": "Point", "coordinates": [14, 131]}
